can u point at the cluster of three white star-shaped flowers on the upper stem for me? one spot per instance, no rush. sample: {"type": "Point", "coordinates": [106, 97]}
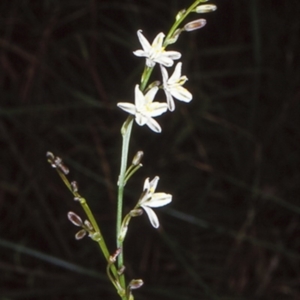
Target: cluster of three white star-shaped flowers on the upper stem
{"type": "Point", "coordinates": [145, 108]}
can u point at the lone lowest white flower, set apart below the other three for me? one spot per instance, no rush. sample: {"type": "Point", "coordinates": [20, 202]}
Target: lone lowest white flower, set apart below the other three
{"type": "Point", "coordinates": [151, 199]}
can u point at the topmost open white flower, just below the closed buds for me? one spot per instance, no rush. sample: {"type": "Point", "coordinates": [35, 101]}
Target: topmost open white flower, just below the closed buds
{"type": "Point", "coordinates": [156, 53]}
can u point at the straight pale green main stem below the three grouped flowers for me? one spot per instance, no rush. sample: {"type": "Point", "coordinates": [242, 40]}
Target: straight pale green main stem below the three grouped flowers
{"type": "Point", "coordinates": [126, 132]}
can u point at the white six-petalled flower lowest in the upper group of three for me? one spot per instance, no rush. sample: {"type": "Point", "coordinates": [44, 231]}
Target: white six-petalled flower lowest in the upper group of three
{"type": "Point", "coordinates": [144, 108]}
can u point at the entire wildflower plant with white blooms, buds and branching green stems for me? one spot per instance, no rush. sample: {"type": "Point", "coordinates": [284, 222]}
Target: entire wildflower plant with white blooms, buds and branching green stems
{"type": "Point", "coordinates": [144, 111]}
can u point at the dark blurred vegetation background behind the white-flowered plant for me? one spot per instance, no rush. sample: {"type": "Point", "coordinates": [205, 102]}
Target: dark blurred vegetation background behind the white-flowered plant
{"type": "Point", "coordinates": [230, 158]}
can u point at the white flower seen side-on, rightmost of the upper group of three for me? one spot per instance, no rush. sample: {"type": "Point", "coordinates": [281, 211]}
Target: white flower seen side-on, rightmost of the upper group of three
{"type": "Point", "coordinates": [173, 86]}
